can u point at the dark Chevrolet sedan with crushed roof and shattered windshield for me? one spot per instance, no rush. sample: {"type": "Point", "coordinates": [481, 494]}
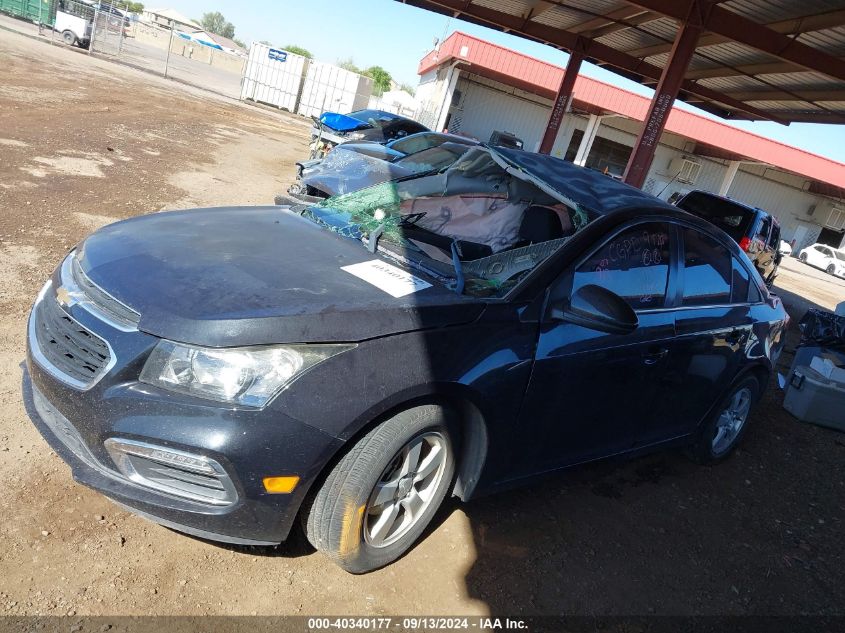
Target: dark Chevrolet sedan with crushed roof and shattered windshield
{"type": "Point", "coordinates": [228, 371]}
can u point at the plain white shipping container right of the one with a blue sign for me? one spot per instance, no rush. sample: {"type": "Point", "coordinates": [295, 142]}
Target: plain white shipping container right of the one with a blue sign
{"type": "Point", "coordinates": [330, 88]}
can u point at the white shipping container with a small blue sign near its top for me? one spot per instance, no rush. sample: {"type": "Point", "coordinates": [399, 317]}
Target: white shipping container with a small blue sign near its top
{"type": "Point", "coordinates": [273, 76]}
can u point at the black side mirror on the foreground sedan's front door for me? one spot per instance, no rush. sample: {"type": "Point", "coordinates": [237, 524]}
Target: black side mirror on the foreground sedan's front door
{"type": "Point", "coordinates": [597, 308]}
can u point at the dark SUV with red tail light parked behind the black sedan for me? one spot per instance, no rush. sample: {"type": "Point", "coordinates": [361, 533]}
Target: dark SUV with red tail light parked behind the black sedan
{"type": "Point", "coordinates": [755, 230]}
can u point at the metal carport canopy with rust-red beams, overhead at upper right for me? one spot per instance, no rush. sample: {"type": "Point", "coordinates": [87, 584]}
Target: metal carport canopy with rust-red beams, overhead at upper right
{"type": "Point", "coordinates": [776, 60]}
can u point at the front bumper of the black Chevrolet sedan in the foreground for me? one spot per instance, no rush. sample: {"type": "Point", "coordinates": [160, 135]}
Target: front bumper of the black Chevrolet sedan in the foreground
{"type": "Point", "coordinates": [249, 444]}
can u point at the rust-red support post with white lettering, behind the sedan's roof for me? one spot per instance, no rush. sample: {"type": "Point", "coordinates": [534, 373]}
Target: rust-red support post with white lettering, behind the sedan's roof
{"type": "Point", "coordinates": [667, 90]}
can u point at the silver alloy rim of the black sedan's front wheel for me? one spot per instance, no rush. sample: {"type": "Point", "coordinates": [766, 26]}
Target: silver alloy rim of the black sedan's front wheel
{"type": "Point", "coordinates": [405, 489]}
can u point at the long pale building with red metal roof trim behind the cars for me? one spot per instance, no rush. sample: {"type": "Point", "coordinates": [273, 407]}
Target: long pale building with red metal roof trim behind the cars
{"type": "Point", "coordinates": [471, 86]}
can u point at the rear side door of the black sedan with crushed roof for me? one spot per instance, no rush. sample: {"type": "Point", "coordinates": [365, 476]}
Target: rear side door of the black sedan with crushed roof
{"type": "Point", "coordinates": [713, 324]}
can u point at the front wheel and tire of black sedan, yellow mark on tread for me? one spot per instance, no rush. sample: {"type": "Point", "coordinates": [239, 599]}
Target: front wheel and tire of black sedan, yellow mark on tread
{"type": "Point", "coordinates": [380, 497]}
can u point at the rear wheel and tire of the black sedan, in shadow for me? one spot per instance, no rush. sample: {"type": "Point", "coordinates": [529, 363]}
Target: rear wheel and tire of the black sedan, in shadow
{"type": "Point", "coordinates": [726, 426]}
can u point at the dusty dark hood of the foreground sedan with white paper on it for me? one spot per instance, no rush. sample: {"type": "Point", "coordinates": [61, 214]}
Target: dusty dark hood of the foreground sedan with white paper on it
{"type": "Point", "coordinates": [260, 275]}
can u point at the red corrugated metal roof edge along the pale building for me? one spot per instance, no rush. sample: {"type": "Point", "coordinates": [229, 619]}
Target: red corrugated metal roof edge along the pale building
{"type": "Point", "coordinates": [529, 73]}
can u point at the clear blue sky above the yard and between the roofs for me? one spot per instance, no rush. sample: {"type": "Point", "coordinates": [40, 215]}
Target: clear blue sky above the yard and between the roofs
{"type": "Point", "coordinates": [395, 36]}
